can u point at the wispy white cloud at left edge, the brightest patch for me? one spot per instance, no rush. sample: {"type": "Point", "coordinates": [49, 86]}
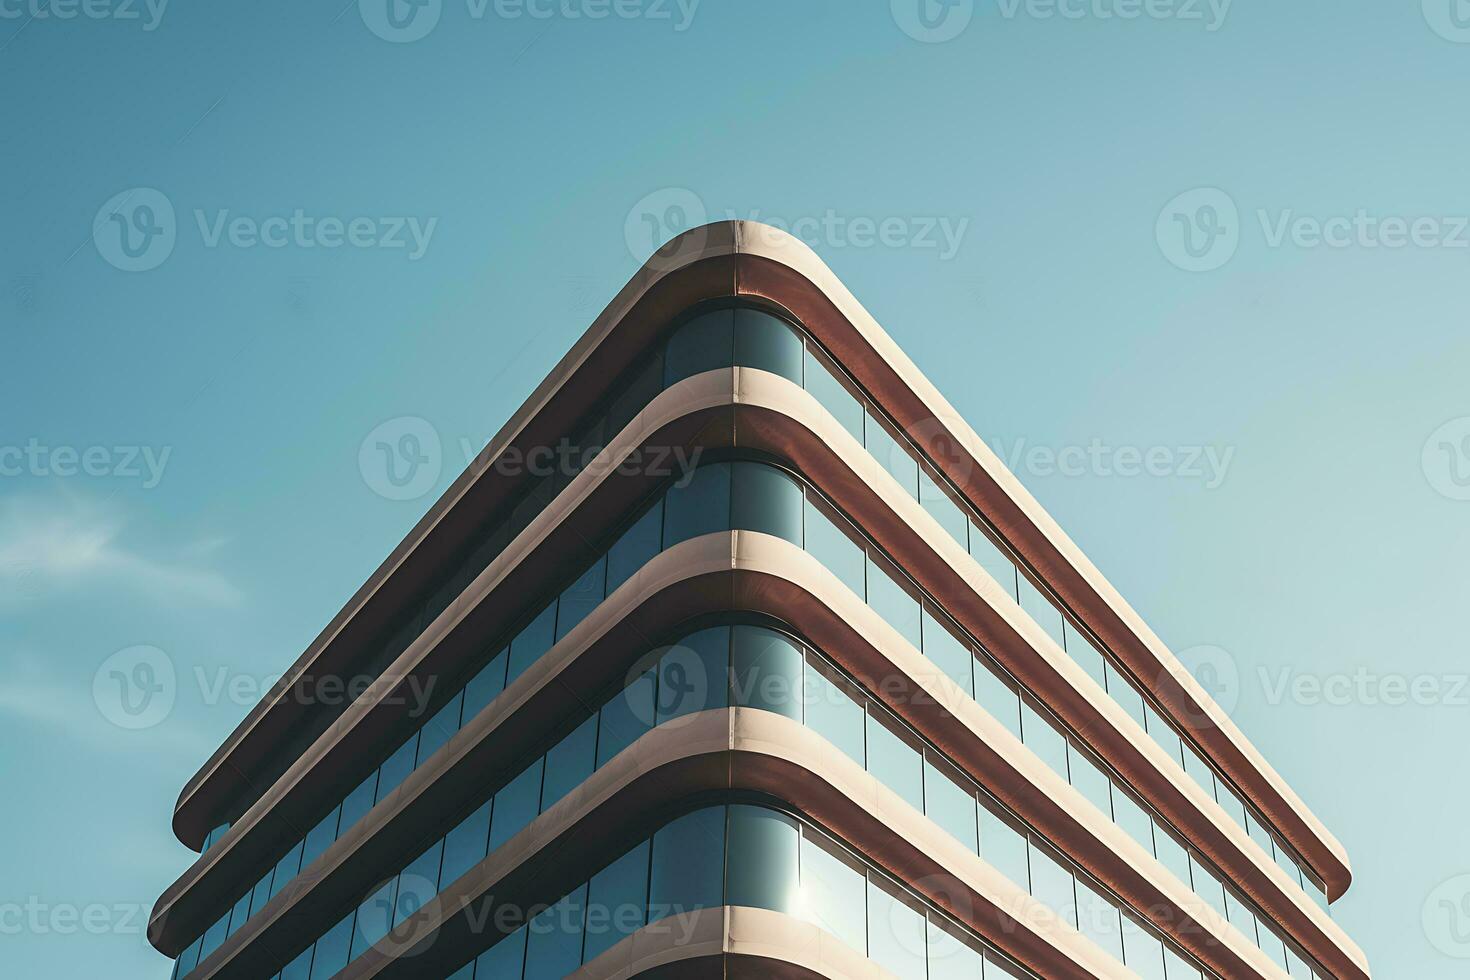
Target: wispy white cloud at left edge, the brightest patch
{"type": "Point", "coordinates": [62, 543]}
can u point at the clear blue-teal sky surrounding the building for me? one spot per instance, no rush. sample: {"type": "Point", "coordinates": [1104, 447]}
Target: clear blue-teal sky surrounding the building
{"type": "Point", "coordinates": [1231, 239]}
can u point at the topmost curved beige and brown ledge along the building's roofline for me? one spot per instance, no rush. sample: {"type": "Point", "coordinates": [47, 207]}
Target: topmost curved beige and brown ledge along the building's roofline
{"type": "Point", "coordinates": [758, 262]}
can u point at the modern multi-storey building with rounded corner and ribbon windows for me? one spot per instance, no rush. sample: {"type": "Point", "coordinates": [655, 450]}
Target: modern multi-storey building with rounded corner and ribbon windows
{"type": "Point", "coordinates": [739, 655]}
